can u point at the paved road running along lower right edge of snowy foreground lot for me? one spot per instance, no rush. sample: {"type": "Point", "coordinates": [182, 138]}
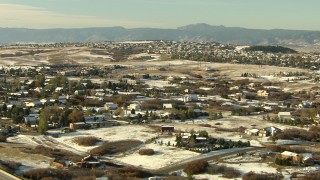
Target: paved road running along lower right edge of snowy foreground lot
{"type": "Point", "coordinates": [206, 157]}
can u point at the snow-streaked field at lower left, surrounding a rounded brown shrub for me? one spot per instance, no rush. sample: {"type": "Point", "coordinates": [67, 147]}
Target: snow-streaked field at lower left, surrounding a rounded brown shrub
{"type": "Point", "coordinates": [66, 141]}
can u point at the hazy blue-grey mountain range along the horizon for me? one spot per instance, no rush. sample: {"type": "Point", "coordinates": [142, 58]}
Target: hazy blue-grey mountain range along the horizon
{"type": "Point", "coordinates": [194, 32]}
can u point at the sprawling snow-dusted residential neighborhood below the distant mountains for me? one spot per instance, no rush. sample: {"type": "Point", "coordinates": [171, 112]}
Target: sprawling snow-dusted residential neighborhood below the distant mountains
{"type": "Point", "coordinates": [157, 106]}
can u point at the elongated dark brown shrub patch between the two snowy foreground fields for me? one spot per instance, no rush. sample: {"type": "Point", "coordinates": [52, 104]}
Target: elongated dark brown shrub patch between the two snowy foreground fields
{"type": "Point", "coordinates": [115, 147]}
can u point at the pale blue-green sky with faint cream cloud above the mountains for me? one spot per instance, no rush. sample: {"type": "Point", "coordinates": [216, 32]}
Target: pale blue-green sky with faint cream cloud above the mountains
{"type": "Point", "coordinates": [256, 14]}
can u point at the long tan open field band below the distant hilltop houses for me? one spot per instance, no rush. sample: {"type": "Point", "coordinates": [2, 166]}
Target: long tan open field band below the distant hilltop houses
{"type": "Point", "coordinates": [181, 68]}
